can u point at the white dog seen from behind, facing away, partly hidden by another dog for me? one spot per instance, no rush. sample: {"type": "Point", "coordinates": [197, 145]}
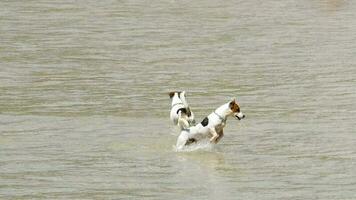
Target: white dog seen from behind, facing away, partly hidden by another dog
{"type": "Point", "coordinates": [181, 114]}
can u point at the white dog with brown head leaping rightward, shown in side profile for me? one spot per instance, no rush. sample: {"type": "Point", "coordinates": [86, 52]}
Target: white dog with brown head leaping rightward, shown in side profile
{"type": "Point", "coordinates": [211, 127]}
